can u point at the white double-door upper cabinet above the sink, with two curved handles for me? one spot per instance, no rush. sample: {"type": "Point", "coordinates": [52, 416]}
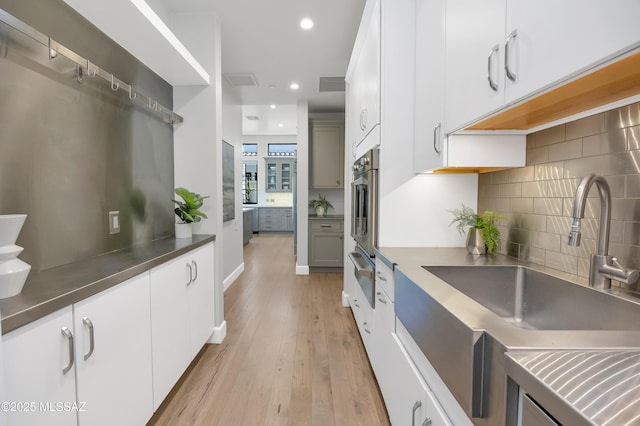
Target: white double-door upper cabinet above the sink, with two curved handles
{"type": "Point", "coordinates": [499, 52]}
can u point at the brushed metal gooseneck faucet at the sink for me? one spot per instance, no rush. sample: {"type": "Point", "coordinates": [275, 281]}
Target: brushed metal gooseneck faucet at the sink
{"type": "Point", "coordinates": [604, 268]}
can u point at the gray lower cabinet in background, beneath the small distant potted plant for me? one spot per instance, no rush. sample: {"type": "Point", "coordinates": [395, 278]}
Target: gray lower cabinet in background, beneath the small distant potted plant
{"type": "Point", "coordinates": [326, 242]}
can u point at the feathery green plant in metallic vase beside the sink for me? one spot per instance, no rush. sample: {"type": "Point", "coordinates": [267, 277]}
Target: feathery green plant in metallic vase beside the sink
{"type": "Point", "coordinates": [483, 236]}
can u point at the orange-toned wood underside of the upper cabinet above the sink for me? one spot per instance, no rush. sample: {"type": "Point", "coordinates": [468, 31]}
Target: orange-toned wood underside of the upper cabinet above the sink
{"type": "Point", "coordinates": [612, 83]}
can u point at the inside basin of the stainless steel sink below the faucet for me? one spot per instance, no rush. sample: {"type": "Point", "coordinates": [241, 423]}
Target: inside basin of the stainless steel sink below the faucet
{"type": "Point", "coordinates": [534, 300]}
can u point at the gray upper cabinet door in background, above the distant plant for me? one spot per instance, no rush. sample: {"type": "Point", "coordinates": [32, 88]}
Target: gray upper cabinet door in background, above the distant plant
{"type": "Point", "coordinates": [327, 156]}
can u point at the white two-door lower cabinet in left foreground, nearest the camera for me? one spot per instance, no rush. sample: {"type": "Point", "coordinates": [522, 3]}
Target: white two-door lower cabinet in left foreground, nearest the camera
{"type": "Point", "coordinates": [52, 365]}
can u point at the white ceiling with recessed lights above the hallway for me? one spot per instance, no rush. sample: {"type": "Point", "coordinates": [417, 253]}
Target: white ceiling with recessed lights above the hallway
{"type": "Point", "coordinates": [263, 37]}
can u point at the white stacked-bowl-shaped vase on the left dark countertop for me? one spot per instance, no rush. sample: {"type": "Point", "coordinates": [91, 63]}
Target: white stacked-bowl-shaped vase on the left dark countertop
{"type": "Point", "coordinates": [13, 271]}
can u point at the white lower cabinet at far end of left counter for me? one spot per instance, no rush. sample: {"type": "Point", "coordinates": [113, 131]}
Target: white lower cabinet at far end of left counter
{"type": "Point", "coordinates": [182, 310]}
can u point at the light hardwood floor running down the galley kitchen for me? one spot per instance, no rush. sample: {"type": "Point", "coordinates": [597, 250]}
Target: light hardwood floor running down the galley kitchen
{"type": "Point", "coordinates": [292, 355]}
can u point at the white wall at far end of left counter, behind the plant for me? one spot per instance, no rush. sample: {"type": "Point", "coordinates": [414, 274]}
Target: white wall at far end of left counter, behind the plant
{"type": "Point", "coordinates": [198, 140]}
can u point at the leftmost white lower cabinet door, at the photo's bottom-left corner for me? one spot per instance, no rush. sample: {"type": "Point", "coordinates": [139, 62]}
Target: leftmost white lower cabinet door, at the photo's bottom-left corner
{"type": "Point", "coordinates": [34, 358]}
